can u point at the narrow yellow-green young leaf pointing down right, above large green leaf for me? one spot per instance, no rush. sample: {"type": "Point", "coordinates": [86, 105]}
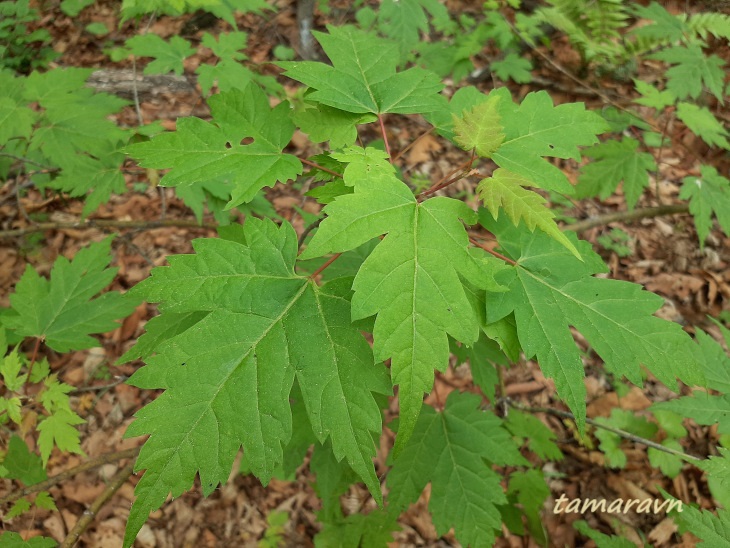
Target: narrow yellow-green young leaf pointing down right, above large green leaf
{"type": "Point", "coordinates": [504, 189]}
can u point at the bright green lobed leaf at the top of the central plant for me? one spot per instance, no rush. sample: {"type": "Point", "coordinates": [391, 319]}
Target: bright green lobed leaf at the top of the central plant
{"type": "Point", "coordinates": [363, 77]}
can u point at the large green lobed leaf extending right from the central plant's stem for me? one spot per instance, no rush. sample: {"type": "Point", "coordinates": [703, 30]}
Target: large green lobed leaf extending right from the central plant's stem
{"type": "Point", "coordinates": [550, 290]}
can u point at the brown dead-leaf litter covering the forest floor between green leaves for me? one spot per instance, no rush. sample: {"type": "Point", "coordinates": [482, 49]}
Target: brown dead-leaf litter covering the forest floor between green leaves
{"type": "Point", "coordinates": [665, 258]}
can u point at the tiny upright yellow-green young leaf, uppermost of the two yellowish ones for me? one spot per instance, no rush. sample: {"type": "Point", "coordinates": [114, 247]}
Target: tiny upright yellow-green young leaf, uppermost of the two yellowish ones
{"type": "Point", "coordinates": [480, 129]}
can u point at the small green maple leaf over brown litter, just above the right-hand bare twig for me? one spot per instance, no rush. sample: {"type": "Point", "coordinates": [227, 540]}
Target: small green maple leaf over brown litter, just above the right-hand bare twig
{"type": "Point", "coordinates": [616, 161]}
